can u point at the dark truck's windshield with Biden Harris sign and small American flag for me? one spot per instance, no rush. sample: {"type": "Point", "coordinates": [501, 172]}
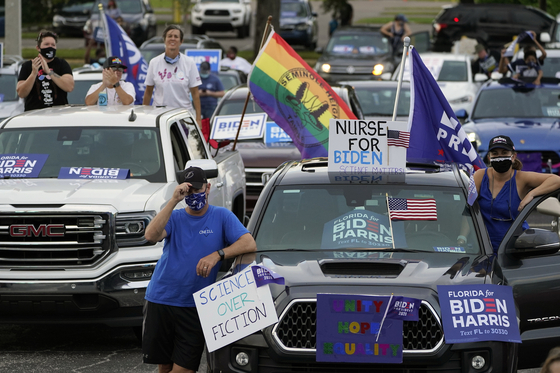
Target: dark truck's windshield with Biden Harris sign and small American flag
{"type": "Point", "coordinates": [355, 217]}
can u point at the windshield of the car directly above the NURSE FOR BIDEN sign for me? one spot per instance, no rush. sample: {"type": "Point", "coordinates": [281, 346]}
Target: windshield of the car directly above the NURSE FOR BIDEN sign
{"type": "Point", "coordinates": [381, 100]}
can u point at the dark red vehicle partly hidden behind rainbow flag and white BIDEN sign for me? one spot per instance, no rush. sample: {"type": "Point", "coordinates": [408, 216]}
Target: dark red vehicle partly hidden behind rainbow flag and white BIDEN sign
{"type": "Point", "coordinates": [259, 157]}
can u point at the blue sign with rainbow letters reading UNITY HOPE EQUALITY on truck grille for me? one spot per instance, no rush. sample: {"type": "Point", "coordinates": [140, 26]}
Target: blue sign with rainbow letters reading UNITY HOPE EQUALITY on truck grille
{"type": "Point", "coordinates": [348, 327]}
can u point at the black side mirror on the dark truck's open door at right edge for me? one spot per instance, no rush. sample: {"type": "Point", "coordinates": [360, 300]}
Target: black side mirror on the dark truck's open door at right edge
{"type": "Point", "coordinates": [534, 242]}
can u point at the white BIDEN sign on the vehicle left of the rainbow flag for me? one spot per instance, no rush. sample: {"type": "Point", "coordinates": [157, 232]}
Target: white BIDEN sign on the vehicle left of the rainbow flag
{"type": "Point", "coordinates": [225, 127]}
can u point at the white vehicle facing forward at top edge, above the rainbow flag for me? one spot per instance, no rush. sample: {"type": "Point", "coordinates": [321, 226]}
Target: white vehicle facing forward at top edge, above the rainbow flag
{"type": "Point", "coordinates": [222, 15]}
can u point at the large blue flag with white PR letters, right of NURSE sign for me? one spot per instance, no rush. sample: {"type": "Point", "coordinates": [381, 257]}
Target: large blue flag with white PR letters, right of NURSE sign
{"type": "Point", "coordinates": [435, 131]}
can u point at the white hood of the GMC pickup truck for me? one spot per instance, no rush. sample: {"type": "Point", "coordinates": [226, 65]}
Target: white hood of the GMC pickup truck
{"type": "Point", "coordinates": [123, 195]}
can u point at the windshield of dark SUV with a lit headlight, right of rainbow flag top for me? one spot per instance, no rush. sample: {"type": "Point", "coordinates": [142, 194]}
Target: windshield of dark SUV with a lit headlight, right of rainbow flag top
{"type": "Point", "coordinates": [361, 44]}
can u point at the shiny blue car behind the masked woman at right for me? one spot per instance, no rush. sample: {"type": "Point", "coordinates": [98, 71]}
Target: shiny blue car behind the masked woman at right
{"type": "Point", "coordinates": [528, 114]}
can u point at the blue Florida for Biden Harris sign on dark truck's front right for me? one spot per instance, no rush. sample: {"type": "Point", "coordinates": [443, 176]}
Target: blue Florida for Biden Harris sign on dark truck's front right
{"type": "Point", "coordinates": [473, 313]}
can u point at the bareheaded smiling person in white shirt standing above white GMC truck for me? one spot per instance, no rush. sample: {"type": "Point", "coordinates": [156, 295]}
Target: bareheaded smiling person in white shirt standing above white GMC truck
{"type": "Point", "coordinates": [173, 77]}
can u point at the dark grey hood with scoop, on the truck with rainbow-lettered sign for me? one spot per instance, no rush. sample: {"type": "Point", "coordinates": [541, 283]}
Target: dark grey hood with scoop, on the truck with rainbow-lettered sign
{"type": "Point", "coordinates": [425, 270]}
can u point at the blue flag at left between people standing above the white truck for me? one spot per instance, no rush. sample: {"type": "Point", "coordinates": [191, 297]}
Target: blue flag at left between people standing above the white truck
{"type": "Point", "coordinates": [123, 47]}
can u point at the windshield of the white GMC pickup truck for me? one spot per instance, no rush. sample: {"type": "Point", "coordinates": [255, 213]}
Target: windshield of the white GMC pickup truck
{"type": "Point", "coordinates": [136, 149]}
